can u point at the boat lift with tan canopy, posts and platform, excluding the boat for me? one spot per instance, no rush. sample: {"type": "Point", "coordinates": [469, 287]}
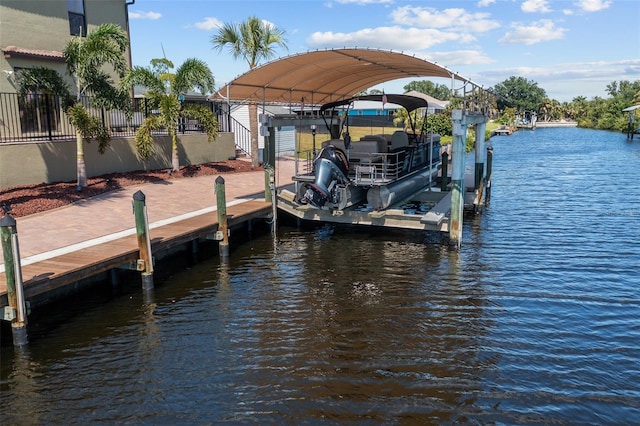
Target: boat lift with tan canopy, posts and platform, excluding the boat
{"type": "Point", "coordinates": [322, 76]}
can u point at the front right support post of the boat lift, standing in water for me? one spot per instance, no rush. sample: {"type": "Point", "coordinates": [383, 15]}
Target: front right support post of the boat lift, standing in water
{"type": "Point", "coordinates": [457, 178]}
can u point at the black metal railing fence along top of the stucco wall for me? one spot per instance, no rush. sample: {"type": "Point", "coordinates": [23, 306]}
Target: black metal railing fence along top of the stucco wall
{"type": "Point", "coordinates": [41, 117]}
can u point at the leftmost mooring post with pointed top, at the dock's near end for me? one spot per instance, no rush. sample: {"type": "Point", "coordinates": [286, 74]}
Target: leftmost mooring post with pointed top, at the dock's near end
{"type": "Point", "coordinates": [16, 312]}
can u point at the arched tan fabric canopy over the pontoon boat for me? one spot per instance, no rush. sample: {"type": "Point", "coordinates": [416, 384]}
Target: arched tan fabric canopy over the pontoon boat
{"type": "Point", "coordinates": [327, 75]}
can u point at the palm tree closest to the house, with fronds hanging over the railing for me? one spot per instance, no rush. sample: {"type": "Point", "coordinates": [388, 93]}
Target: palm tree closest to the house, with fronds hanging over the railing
{"type": "Point", "coordinates": [85, 58]}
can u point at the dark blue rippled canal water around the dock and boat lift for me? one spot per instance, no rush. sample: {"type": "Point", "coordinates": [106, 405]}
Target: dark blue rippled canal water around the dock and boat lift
{"type": "Point", "coordinates": [535, 321]}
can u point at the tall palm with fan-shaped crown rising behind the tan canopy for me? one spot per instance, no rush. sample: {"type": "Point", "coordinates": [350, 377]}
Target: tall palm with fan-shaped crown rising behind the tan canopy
{"type": "Point", "coordinates": [252, 40]}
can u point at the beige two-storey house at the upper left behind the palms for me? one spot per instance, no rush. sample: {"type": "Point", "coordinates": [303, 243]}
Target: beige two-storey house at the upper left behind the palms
{"type": "Point", "coordinates": [33, 34]}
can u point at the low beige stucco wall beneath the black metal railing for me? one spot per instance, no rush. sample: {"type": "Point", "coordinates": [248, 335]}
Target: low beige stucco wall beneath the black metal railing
{"type": "Point", "coordinates": [46, 162]}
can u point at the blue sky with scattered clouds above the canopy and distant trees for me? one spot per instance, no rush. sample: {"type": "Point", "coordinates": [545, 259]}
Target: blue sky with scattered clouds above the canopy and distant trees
{"type": "Point", "coordinates": [568, 47]}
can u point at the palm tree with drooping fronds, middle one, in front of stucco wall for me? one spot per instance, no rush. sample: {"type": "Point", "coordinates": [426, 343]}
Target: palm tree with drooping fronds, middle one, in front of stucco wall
{"type": "Point", "coordinates": [164, 92]}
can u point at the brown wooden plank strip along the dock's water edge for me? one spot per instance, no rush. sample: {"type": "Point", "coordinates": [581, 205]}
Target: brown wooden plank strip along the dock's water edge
{"type": "Point", "coordinates": [67, 269]}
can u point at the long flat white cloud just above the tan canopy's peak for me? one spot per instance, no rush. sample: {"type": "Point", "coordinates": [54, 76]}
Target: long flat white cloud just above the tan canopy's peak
{"type": "Point", "coordinates": [395, 38]}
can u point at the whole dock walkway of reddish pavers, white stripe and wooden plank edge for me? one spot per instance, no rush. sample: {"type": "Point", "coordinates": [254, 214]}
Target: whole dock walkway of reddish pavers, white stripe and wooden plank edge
{"type": "Point", "coordinates": [65, 246]}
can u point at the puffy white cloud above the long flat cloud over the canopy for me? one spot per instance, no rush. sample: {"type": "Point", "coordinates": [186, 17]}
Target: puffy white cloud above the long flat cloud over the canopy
{"type": "Point", "coordinates": [453, 18]}
